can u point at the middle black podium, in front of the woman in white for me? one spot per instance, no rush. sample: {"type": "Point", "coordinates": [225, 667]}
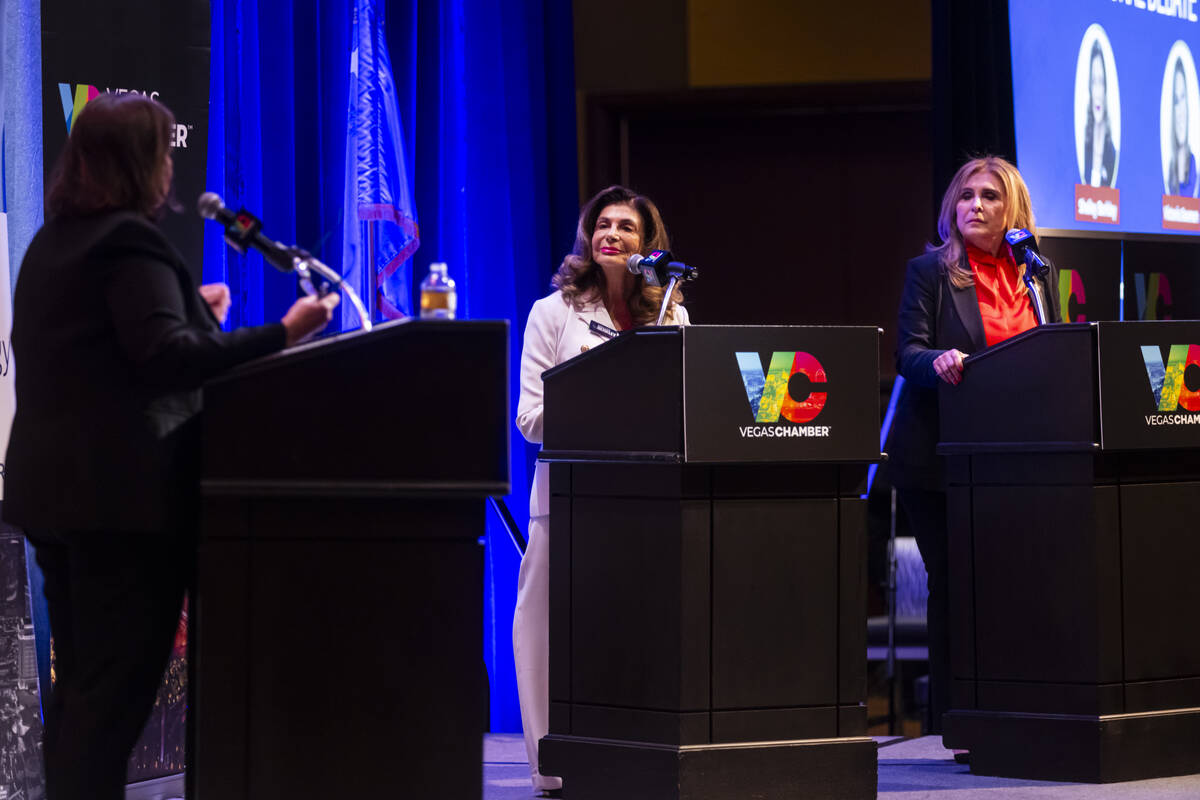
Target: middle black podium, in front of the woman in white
{"type": "Point", "coordinates": [707, 557]}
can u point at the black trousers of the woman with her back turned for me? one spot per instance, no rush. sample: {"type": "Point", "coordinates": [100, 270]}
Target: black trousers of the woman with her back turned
{"type": "Point", "coordinates": [115, 603]}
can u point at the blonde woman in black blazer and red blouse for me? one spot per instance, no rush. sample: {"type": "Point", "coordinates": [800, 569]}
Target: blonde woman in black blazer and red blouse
{"type": "Point", "coordinates": [947, 293]}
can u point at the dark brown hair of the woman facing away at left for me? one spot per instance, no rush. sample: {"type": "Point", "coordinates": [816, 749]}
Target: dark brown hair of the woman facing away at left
{"type": "Point", "coordinates": [116, 159]}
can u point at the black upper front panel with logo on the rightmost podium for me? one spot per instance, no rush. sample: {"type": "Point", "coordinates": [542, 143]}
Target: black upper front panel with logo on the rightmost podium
{"type": "Point", "coordinates": [1150, 386]}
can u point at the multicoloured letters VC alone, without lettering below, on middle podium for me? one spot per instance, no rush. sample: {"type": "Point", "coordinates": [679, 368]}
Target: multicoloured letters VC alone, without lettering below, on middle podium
{"type": "Point", "coordinates": [771, 395]}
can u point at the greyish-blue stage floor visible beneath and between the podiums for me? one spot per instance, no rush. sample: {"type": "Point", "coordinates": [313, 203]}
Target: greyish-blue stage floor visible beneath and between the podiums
{"type": "Point", "coordinates": [910, 769]}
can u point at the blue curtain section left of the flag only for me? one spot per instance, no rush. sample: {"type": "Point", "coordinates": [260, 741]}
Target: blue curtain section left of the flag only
{"type": "Point", "coordinates": [277, 139]}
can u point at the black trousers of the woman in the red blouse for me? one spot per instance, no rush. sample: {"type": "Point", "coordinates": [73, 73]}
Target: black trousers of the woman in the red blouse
{"type": "Point", "coordinates": [927, 518]}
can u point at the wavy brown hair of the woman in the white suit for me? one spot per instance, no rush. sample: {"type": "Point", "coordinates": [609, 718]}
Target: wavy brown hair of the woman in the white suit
{"type": "Point", "coordinates": [583, 281]}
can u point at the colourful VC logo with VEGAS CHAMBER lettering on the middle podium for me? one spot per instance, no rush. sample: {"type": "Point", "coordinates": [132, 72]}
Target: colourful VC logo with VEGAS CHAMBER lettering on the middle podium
{"type": "Point", "coordinates": [789, 389]}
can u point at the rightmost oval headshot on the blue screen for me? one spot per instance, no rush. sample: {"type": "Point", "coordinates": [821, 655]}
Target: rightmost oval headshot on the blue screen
{"type": "Point", "coordinates": [1180, 123]}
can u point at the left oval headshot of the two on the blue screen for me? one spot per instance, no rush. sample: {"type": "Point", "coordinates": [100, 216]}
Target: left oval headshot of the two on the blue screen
{"type": "Point", "coordinates": [1097, 111]}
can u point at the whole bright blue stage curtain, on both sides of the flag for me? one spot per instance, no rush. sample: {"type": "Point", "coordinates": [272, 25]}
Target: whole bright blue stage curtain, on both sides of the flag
{"type": "Point", "coordinates": [488, 103]}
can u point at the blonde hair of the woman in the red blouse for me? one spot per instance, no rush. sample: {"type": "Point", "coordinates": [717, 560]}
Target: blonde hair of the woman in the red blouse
{"type": "Point", "coordinates": [1018, 214]}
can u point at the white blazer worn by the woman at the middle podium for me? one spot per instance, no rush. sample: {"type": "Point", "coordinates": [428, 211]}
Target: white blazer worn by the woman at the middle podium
{"type": "Point", "coordinates": [556, 333]}
